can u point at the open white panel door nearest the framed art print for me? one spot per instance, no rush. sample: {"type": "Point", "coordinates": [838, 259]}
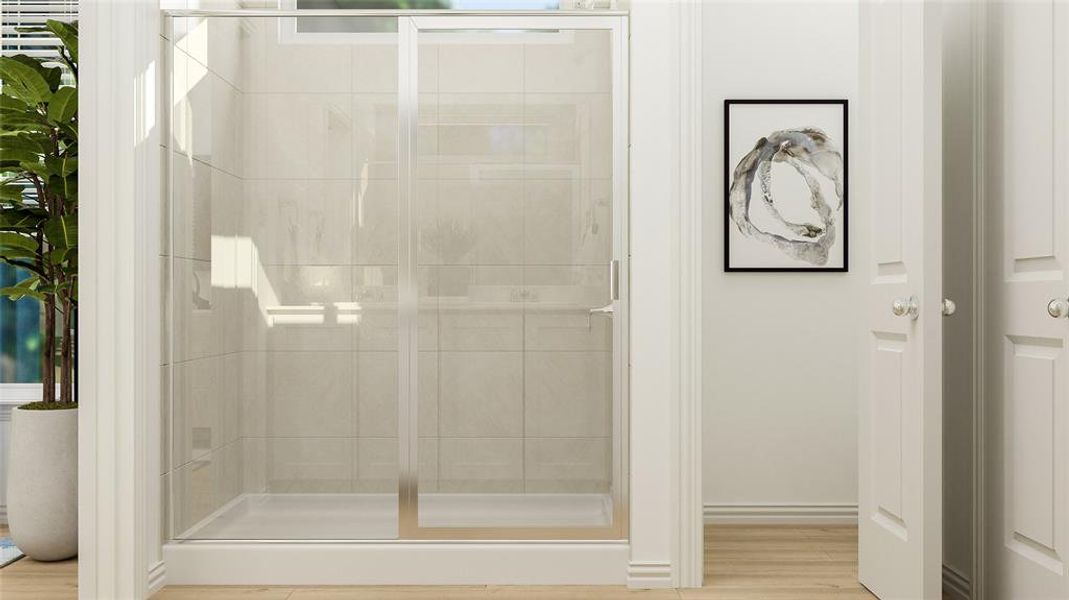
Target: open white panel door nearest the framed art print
{"type": "Point", "coordinates": [901, 429]}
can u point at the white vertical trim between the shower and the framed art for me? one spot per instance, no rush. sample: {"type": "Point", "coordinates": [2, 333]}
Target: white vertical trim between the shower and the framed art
{"type": "Point", "coordinates": [667, 294]}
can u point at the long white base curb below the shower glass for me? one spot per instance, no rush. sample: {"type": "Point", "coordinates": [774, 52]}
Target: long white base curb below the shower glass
{"type": "Point", "coordinates": [602, 563]}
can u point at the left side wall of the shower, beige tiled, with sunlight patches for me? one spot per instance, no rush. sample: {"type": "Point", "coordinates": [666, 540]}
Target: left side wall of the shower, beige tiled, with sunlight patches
{"type": "Point", "coordinates": [204, 342]}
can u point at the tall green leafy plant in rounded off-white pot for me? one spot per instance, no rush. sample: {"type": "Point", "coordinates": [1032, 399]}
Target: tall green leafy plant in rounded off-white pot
{"type": "Point", "coordinates": [39, 236]}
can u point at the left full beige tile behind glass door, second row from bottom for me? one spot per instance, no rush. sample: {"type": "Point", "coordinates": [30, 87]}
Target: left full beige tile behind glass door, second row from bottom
{"type": "Point", "coordinates": [482, 394]}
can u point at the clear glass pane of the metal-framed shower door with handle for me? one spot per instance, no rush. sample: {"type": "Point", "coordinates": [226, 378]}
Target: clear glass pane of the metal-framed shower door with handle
{"type": "Point", "coordinates": [514, 202]}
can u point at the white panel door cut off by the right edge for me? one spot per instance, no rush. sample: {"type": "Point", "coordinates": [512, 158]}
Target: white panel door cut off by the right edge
{"type": "Point", "coordinates": [1029, 366]}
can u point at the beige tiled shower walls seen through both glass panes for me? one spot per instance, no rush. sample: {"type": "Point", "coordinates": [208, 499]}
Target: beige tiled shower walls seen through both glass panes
{"type": "Point", "coordinates": [286, 254]}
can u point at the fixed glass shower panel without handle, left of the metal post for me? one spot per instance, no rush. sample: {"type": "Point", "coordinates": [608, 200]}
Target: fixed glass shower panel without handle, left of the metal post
{"type": "Point", "coordinates": [284, 257]}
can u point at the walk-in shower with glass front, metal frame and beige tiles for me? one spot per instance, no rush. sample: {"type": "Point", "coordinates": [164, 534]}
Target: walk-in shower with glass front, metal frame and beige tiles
{"type": "Point", "coordinates": [397, 264]}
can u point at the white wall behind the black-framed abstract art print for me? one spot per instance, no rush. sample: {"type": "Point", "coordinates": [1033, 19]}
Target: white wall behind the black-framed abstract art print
{"type": "Point", "coordinates": [781, 350]}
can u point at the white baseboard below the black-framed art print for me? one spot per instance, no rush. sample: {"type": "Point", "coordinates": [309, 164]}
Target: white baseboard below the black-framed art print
{"type": "Point", "coordinates": [782, 514]}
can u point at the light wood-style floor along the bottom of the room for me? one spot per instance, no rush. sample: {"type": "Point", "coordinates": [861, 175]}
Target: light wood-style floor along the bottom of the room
{"type": "Point", "coordinates": [742, 563]}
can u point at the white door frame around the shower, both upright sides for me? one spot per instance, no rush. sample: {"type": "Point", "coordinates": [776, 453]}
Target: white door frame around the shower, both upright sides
{"type": "Point", "coordinates": [120, 328]}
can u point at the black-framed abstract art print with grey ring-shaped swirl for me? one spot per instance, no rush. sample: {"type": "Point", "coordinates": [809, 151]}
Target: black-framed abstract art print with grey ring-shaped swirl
{"type": "Point", "coordinates": [785, 186]}
